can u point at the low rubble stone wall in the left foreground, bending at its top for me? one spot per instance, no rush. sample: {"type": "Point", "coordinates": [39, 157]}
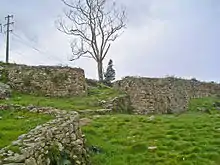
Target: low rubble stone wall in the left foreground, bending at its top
{"type": "Point", "coordinates": [60, 139]}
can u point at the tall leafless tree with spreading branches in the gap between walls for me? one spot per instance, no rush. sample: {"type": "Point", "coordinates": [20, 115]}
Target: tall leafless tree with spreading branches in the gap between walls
{"type": "Point", "coordinates": [95, 24]}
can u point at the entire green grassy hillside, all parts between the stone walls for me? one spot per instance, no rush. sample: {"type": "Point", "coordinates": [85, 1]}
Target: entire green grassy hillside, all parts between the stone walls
{"type": "Point", "coordinates": [192, 138]}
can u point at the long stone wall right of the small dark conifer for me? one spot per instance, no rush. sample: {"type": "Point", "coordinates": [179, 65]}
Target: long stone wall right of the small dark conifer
{"type": "Point", "coordinates": [164, 95]}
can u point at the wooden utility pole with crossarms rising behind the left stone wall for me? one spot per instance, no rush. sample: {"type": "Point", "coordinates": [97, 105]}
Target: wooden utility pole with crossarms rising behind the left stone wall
{"type": "Point", "coordinates": [7, 35]}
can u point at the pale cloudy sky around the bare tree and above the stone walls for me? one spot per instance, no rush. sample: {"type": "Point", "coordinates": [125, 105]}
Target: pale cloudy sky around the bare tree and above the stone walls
{"type": "Point", "coordinates": [163, 37]}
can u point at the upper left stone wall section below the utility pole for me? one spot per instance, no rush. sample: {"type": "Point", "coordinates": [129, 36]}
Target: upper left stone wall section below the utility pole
{"type": "Point", "coordinates": [45, 80]}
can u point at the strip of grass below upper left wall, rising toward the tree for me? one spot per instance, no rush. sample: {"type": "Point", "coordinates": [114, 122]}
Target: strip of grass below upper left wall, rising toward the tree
{"type": "Point", "coordinates": [72, 103]}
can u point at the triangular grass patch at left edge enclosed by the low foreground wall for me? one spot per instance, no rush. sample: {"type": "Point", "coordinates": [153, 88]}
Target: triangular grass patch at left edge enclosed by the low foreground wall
{"type": "Point", "coordinates": [14, 123]}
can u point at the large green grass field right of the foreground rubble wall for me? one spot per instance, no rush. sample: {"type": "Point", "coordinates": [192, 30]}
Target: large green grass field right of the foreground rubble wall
{"type": "Point", "coordinates": [189, 139]}
